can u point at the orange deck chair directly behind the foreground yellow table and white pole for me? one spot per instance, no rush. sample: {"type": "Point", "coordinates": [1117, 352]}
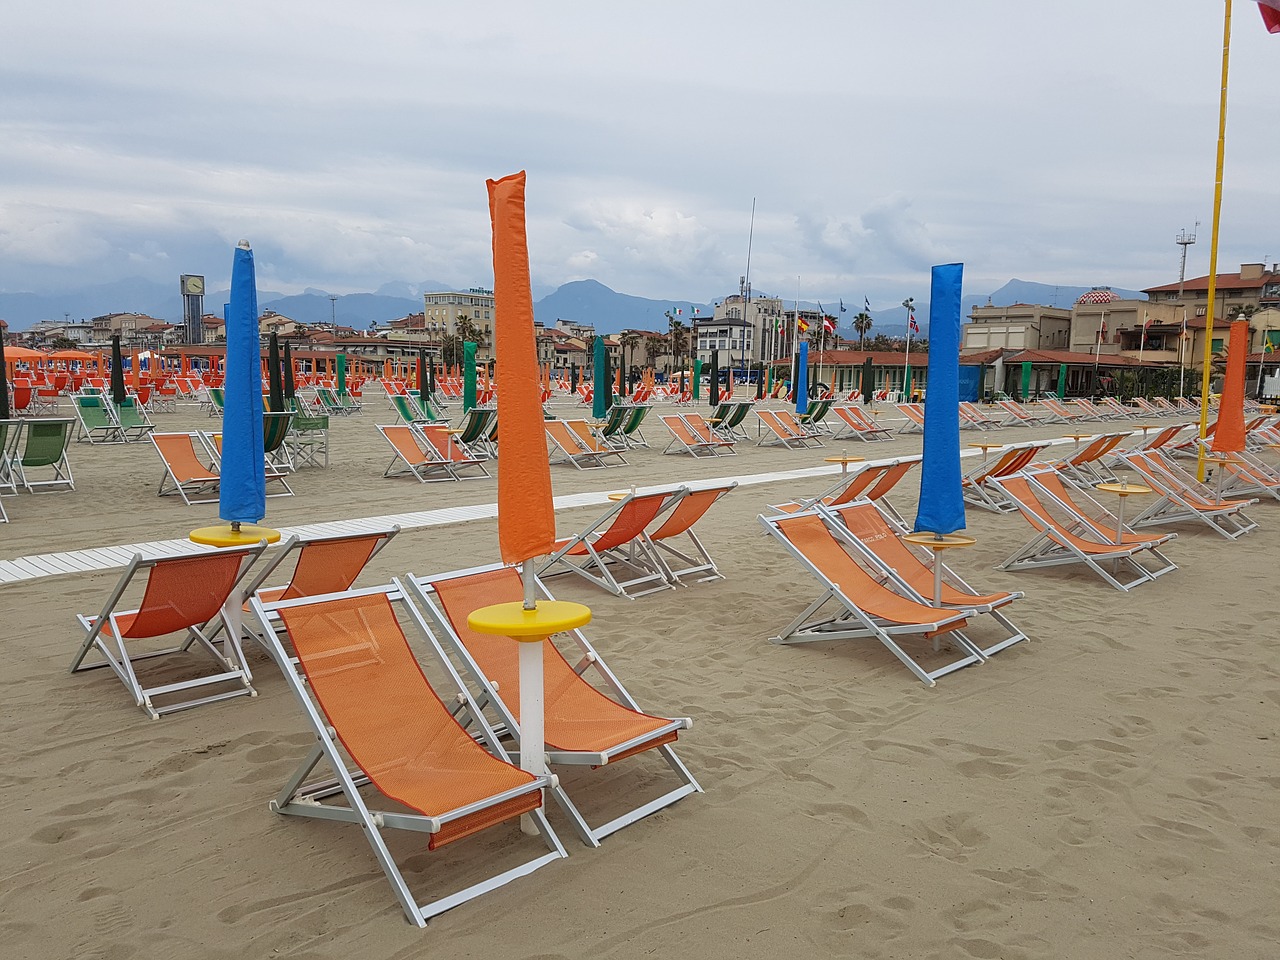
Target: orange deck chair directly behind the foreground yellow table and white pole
{"type": "Point", "coordinates": [584, 725]}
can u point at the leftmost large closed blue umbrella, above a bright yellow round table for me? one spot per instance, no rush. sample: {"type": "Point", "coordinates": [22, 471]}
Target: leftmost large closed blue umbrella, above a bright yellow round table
{"type": "Point", "coordinates": [243, 492]}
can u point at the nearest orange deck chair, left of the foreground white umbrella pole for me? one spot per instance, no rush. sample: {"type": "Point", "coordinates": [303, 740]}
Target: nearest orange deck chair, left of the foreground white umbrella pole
{"type": "Point", "coordinates": [365, 697]}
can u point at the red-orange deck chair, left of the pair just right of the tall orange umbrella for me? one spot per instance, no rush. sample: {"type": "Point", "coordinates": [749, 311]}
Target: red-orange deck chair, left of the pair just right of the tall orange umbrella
{"type": "Point", "coordinates": [615, 546]}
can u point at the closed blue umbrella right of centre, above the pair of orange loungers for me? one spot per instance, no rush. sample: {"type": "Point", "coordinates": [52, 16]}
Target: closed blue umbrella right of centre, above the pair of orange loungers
{"type": "Point", "coordinates": [941, 509]}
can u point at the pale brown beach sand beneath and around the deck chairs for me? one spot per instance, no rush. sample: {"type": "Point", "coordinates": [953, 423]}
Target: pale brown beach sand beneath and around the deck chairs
{"type": "Point", "coordinates": [1107, 790]}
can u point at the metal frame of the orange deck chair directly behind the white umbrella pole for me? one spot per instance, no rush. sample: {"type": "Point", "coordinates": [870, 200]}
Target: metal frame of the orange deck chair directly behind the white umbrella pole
{"type": "Point", "coordinates": [446, 642]}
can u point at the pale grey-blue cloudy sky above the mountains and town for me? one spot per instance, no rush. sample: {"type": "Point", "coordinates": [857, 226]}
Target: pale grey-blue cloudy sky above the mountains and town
{"type": "Point", "coordinates": [1060, 143]}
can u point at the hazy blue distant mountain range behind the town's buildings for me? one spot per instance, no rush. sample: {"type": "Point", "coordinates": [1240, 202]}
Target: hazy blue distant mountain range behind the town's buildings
{"type": "Point", "coordinates": [583, 301]}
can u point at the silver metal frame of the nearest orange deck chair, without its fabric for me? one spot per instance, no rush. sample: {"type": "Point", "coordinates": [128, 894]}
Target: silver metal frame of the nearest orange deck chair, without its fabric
{"type": "Point", "coordinates": [303, 797]}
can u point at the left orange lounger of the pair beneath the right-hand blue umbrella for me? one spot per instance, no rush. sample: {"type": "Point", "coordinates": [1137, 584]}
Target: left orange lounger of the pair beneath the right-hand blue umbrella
{"type": "Point", "coordinates": [865, 607]}
